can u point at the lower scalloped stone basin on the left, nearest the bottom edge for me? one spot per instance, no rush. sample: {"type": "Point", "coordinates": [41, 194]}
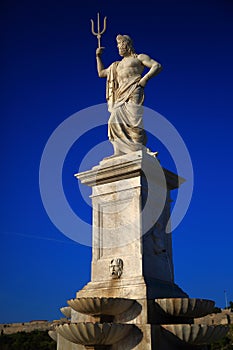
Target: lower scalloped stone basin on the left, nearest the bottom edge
{"type": "Point", "coordinates": [89, 334]}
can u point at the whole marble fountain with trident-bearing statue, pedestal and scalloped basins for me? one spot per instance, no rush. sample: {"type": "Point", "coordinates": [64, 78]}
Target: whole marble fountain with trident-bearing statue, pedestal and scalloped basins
{"type": "Point", "coordinates": [132, 301]}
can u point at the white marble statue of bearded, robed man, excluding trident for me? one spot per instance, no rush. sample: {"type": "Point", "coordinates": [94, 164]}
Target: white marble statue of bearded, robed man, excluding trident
{"type": "Point", "coordinates": [125, 95]}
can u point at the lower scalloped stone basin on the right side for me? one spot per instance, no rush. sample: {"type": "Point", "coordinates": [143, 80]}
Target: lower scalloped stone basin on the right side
{"type": "Point", "coordinates": [197, 334]}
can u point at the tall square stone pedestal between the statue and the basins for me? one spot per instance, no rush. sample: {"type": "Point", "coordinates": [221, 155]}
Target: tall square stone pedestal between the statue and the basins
{"type": "Point", "coordinates": [131, 210]}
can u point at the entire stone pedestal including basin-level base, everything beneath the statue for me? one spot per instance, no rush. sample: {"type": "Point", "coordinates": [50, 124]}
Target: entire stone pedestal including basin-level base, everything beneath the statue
{"type": "Point", "coordinates": [131, 259]}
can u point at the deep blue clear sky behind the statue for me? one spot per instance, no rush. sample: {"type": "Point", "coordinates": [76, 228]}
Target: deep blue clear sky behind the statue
{"type": "Point", "coordinates": [48, 73]}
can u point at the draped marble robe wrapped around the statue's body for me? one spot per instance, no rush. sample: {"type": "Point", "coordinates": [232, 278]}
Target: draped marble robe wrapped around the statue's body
{"type": "Point", "coordinates": [125, 125]}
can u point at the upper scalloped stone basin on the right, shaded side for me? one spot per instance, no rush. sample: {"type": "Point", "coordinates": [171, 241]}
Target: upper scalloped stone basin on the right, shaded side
{"type": "Point", "coordinates": [186, 307]}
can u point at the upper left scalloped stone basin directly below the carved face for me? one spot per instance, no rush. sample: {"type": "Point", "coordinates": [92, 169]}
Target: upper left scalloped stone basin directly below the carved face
{"type": "Point", "coordinates": [100, 306]}
